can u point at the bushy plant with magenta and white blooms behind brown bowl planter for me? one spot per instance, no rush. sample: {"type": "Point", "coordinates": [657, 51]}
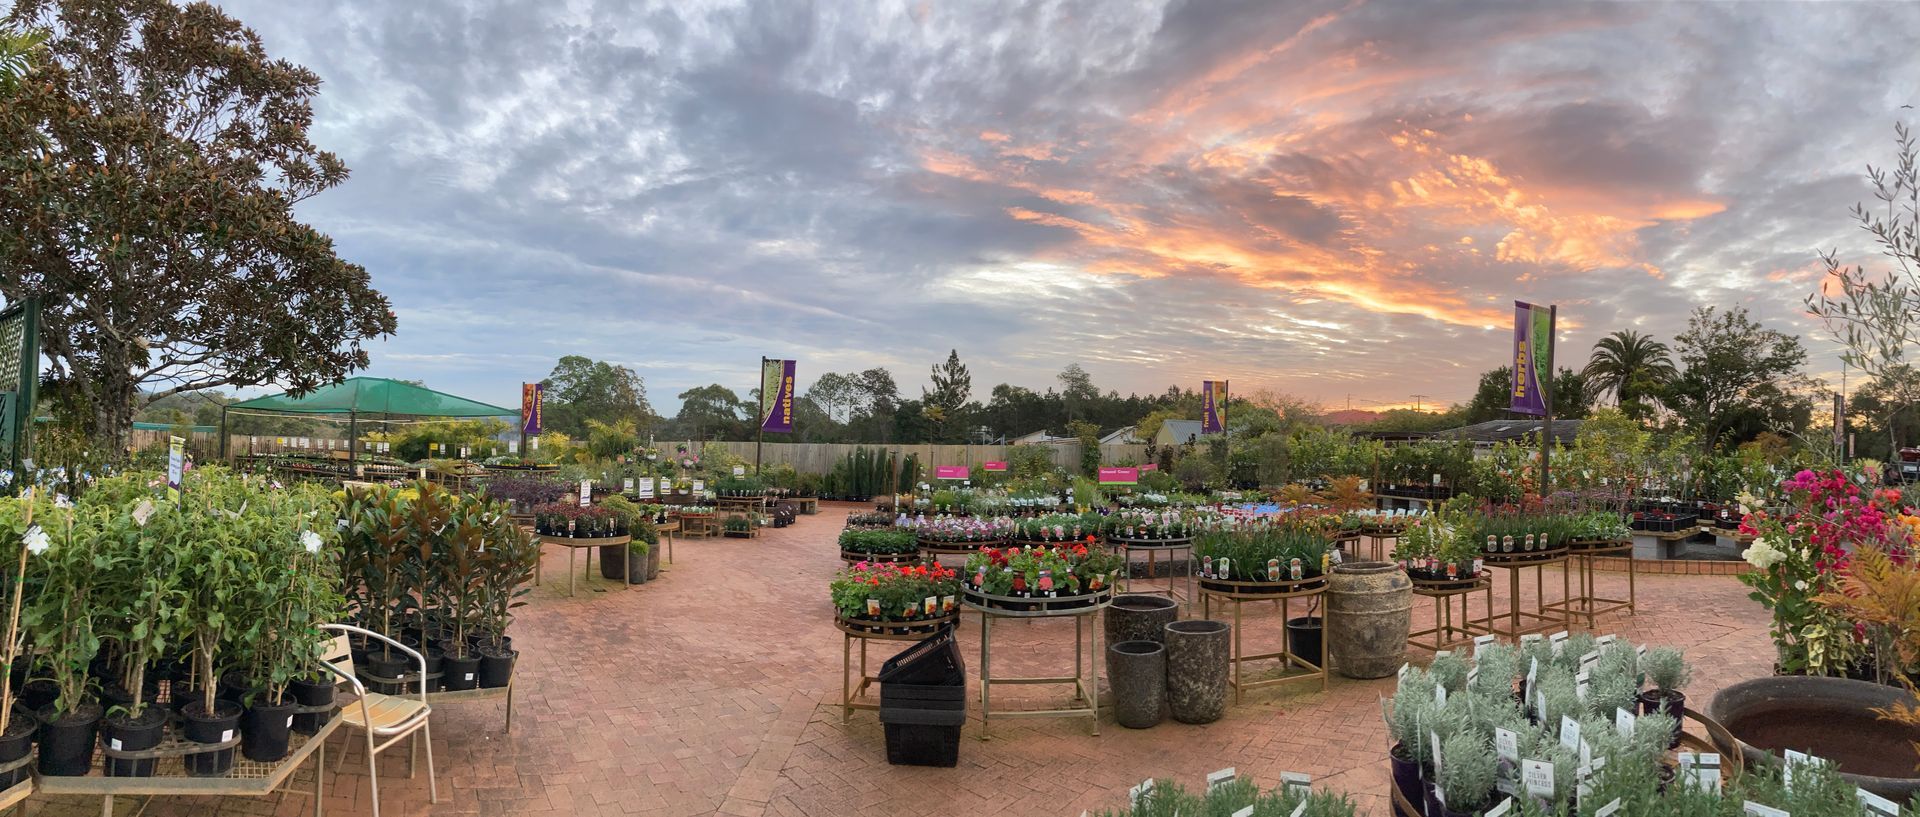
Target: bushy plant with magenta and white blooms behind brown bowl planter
{"type": "Point", "coordinates": [1802, 549]}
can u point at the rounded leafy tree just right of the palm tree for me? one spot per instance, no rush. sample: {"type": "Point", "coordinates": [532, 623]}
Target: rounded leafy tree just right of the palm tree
{"type": "Point", "coordinates": [1739, 381]}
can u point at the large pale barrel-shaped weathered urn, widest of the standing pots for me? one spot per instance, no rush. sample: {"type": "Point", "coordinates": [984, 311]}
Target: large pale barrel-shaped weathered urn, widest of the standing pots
{"type": "Point", "coordinates": [1370, 607]}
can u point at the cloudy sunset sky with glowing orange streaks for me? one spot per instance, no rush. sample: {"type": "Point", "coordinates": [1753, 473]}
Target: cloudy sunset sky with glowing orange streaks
{"type": "Point", "coordinates": [1330, 200]}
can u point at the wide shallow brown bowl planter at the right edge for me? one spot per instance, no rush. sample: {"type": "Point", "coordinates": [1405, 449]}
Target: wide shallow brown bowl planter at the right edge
{"type": "Point", "coordinates": [1827, 718]}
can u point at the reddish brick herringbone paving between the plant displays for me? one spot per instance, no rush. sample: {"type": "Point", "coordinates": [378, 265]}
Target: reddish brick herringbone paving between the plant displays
{"type": "Point", "coordinates": [715, 691]}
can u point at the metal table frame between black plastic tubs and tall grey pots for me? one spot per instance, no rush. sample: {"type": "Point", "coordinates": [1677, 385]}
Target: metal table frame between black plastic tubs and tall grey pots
{"type": "Point", "coordinates": [1086, 678]}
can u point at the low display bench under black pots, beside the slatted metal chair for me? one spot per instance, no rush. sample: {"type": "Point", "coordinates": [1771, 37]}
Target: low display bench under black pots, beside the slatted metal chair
{"type": "Point", "coordinates": [247, 780]}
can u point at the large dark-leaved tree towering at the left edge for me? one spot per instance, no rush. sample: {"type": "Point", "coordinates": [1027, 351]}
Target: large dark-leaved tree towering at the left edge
{"type": "Point", "coordinates": [153, 172]}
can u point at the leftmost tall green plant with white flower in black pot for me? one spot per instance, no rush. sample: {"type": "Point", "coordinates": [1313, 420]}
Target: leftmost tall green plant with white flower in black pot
{"type": "Point", "coordinates": [62, 619]}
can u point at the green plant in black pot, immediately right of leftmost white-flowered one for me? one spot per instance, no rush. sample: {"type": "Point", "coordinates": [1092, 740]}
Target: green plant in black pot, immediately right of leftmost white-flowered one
{"type": "Point", "coordinates": [141, 586]}
